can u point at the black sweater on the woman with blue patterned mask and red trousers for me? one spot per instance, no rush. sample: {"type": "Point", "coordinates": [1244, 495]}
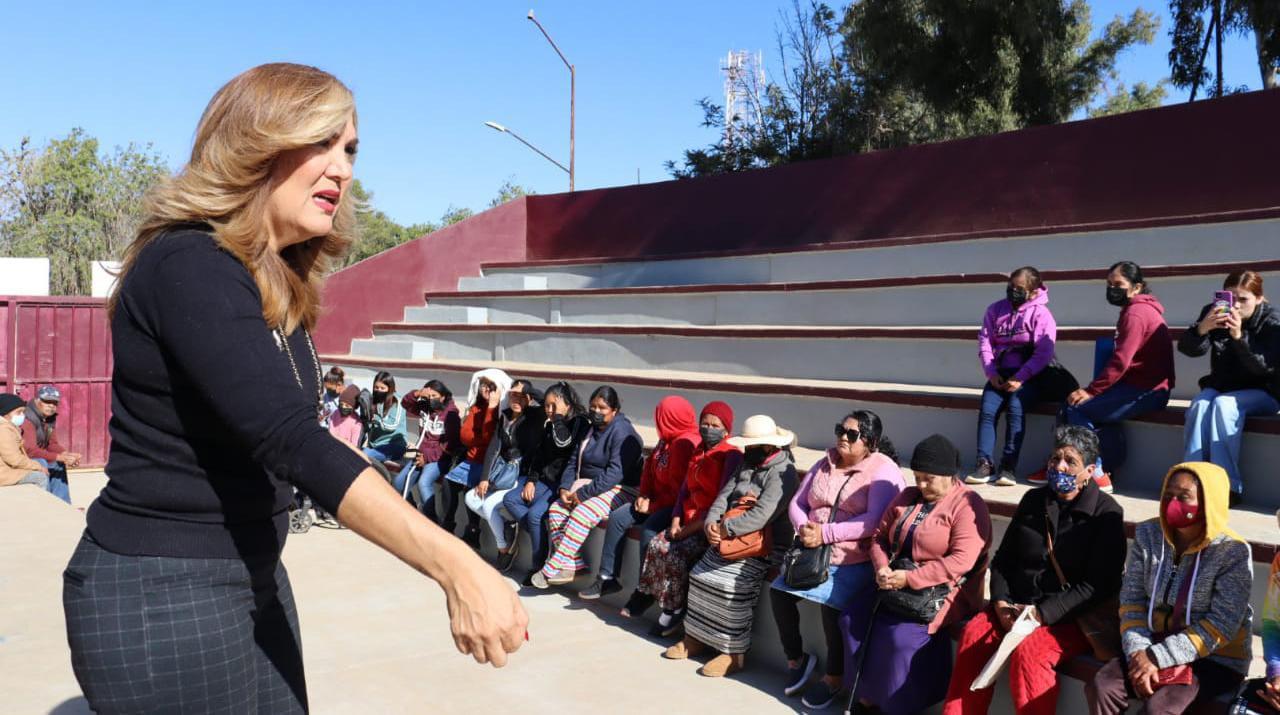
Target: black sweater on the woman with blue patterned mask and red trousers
{"type": "Point", "coordinates": [1090, 546]}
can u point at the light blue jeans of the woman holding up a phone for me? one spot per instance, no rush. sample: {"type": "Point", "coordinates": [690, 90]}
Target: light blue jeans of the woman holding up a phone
{"type": "Point", "coordinates": [1215, 428]}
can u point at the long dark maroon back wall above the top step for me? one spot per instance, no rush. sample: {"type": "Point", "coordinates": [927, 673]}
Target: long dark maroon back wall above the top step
{"type": "Point", "coordinates": [1209, 158]}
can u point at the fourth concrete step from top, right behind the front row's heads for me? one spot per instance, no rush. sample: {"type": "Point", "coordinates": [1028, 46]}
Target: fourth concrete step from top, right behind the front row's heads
{"type": "Point", "coordinates": [811, 407]}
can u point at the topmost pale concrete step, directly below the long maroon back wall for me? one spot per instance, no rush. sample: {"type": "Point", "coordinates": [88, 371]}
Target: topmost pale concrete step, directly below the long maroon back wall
{"type": "Point", "coordinates": [1203, 244]}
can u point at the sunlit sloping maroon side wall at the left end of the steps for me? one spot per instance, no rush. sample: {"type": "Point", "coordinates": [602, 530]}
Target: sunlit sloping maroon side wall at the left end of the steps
{"type": "Point", "coordinates": [381, 287]}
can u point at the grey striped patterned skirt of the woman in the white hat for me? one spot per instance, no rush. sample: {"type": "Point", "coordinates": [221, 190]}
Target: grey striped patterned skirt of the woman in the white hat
{"type": "Point", "coordinates": [723, 598]}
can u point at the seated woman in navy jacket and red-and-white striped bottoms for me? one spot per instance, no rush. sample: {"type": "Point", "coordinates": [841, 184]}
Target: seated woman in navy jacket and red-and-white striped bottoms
{"type": "Point", "coordinates": [602, 476]}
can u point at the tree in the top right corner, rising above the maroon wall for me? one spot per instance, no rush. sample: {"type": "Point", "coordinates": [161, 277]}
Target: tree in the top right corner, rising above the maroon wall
{"type": "Point", "coordinates": [1192, 36]}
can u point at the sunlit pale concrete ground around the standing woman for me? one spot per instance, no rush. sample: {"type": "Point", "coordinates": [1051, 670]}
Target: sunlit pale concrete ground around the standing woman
{"type": "Point", "coordinates": [376, 636]}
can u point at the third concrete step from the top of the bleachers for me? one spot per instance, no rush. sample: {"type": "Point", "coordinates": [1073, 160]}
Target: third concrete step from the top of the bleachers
{"type": "Point", "coordinates": [924, 356]}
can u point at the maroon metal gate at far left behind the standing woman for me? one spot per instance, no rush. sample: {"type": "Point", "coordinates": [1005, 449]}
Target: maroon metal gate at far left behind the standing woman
{"type": "Point", "coordinates": [65, 342]}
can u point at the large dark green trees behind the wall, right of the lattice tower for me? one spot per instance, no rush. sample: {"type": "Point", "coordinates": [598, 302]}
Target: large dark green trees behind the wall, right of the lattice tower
{"type": "Point", "coordinates": [894, 74]}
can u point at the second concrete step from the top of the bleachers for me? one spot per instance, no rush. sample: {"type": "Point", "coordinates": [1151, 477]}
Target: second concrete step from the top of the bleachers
{"type": "Point", "coordinates": [958, 302]}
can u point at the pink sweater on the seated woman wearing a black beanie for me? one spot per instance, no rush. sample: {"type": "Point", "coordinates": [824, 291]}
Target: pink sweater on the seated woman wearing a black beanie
{"type": "Point", "coordinates": [952, 539]}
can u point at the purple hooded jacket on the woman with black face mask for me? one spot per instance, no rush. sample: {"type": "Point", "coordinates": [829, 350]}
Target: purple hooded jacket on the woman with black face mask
{"type": "Point", "coordinates": [1021, 341]}
